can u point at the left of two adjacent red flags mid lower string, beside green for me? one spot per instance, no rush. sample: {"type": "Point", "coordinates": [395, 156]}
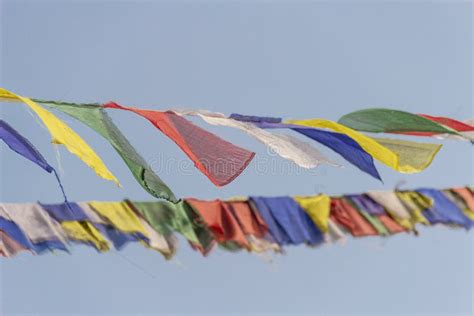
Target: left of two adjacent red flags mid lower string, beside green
{"type": "Point", "coordinates": [220, 221]}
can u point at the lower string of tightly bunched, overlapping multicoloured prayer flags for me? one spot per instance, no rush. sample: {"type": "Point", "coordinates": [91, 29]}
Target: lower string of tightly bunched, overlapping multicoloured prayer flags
{"type": "Point", "coordinates": [254, 224]}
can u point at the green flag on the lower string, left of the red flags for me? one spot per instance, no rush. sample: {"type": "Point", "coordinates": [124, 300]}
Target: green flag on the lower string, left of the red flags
{"type": "Point", "coordinates": [166, 217]}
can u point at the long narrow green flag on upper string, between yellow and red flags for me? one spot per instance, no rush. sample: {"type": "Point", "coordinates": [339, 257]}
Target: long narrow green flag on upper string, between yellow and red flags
{"type": "Point", "coordinates": [97, 119]}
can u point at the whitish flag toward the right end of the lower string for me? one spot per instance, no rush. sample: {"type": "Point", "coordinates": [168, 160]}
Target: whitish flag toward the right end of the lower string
{"type": "Point", "coordinates": [392, 204]}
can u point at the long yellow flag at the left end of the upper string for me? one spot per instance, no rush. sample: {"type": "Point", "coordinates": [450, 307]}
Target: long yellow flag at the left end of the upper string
{"type": "Point", "coordinates": [62, 134]}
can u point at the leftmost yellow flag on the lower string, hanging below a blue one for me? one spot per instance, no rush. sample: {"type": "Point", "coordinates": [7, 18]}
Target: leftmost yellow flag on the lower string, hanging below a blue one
{"type": "Point", "coordinates": [86, 232]}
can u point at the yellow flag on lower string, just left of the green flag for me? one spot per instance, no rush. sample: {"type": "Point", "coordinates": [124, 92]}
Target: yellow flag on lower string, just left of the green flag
{"type": "Point", "coordinates": [120, 216]}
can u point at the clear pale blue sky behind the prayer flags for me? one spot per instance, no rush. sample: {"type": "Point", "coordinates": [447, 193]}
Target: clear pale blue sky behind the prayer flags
{"type": "Point", "coordinates": [298, 59]}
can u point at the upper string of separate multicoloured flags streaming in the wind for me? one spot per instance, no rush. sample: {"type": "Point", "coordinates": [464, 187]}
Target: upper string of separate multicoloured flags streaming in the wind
{"type": "Point", "coordinates": [222, 161]}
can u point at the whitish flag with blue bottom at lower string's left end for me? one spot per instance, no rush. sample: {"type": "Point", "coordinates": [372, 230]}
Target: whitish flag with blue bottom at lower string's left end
{"type": "Point", "coordinates": [44, 232]}
